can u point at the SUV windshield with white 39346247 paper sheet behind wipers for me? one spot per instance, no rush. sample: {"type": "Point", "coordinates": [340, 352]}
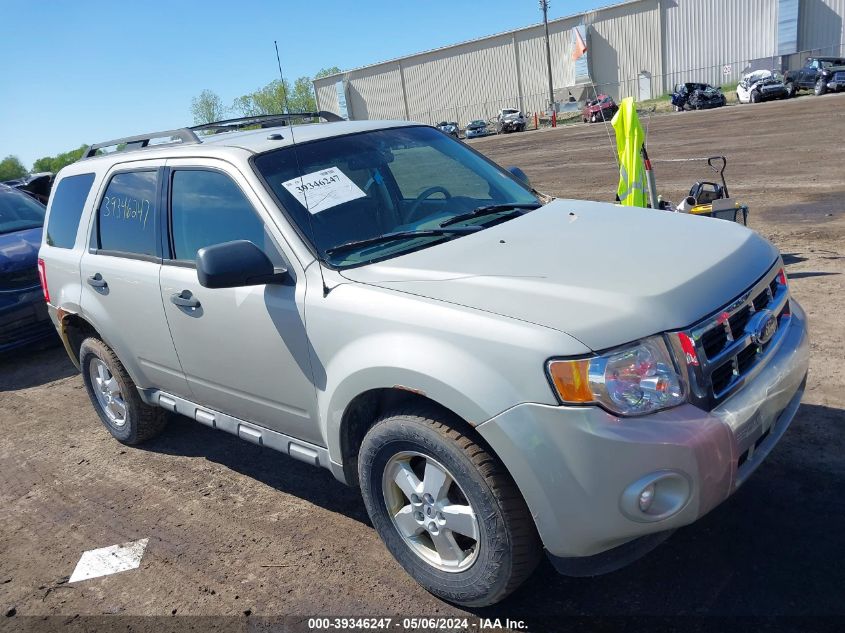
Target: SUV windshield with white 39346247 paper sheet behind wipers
{"type": "Point", "coordinates": [362, 186]}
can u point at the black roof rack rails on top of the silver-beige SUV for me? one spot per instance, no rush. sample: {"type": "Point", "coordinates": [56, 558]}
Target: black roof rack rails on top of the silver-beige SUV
{"type": "Point", "coordinates": [188, 135]}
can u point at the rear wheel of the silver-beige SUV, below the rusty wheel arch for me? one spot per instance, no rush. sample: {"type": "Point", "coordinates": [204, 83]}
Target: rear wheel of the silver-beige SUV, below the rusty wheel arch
{"type": "Point", "coordinates": [139, 421]}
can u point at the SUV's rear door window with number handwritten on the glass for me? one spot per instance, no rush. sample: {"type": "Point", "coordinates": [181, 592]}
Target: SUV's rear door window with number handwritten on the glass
{"type": "Point", "coordinates": [127, 214]}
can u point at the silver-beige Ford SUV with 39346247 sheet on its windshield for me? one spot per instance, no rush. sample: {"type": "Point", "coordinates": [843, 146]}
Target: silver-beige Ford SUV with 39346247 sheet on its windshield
{"type": "Point", "coordinates": [501, 373]}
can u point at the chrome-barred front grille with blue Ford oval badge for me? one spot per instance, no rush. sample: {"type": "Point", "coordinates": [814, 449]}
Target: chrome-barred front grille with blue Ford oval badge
{"type": "Point", "coordinates": [728, 349]}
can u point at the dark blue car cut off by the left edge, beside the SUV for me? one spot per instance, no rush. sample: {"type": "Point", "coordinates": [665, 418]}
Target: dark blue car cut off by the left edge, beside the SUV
{"type": "Point", "coordinates": [23, 310]}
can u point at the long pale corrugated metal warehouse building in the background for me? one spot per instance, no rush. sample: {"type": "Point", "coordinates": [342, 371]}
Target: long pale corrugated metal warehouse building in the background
{"type": "Point", "coordinates": [639, 48]}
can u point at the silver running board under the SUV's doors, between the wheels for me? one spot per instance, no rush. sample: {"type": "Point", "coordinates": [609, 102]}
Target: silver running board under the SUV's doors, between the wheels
{"type": "Point", "coordinates": [303, 451]}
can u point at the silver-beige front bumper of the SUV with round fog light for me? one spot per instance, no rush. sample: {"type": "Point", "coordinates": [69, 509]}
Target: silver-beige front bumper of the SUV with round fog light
{"type": "Point", "coordinates": [576, 466]}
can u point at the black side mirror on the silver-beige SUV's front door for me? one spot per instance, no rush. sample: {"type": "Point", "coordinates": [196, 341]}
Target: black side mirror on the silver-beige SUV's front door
{"type": "Point", "coordinates": [236, 264]}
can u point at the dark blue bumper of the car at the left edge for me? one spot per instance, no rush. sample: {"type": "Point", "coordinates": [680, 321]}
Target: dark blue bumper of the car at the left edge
{"type": "Point", "coordinates": [23, 318]}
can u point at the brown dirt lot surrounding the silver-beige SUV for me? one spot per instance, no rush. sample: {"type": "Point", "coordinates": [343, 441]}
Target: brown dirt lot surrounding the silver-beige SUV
{"type": "Point", "coordinates": [238, 529]}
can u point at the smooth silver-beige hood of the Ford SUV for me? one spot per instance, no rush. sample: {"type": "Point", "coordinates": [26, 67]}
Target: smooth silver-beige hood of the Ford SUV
{"type": "Point", "coordinates": [604, 274]}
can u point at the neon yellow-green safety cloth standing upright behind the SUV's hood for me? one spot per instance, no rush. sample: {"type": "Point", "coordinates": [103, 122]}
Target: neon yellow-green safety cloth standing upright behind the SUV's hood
{"type": "Point", "coordinates": [629, 143]}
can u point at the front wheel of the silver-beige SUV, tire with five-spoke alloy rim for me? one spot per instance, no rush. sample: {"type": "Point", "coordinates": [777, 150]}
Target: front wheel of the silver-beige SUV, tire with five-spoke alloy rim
{"type": "Point", "coordinates": [478, 570]}
